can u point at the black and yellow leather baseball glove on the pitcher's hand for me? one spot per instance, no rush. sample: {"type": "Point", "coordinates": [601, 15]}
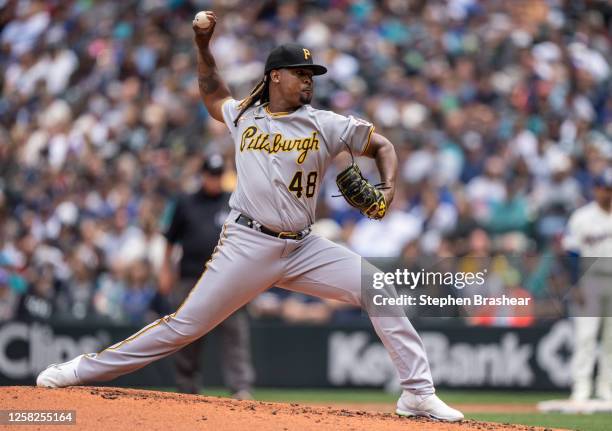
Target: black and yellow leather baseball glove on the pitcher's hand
{"type": "Point", "coordinates": [362, 195]}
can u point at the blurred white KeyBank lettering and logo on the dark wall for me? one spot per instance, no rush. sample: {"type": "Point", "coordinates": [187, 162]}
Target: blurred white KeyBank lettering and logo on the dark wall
{"type": "Point", "coordinates": [536, 357]}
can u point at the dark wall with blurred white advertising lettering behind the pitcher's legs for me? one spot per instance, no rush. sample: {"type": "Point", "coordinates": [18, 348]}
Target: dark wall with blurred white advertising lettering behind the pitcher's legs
{"type": "Point", "coordinates": [329, 356]}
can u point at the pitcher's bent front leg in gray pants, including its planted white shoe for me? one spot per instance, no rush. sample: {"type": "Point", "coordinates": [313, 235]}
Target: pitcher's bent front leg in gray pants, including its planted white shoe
{"type": "Point", "coordinates": [320, 267]}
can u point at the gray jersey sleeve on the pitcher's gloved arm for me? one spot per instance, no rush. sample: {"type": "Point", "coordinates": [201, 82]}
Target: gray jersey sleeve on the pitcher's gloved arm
{"type": "Point", "coordinates": [351, 131]}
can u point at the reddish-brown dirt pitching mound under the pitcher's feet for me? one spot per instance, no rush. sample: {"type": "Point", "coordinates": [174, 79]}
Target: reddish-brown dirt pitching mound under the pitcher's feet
{"type": "Point", "coordinates": [127, 409]}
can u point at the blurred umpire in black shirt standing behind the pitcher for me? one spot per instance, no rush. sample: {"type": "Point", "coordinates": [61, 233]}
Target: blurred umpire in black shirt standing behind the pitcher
{"type": "Point", "coordinates": [196, 224]}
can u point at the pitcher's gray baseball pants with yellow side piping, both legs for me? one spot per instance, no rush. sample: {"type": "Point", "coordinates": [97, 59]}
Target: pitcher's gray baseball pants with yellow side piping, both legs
{"type": "Point", "coordinates": [246, 263]}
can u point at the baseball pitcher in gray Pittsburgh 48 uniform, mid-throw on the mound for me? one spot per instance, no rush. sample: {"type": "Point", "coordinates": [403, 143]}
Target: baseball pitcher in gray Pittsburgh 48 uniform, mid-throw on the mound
{"type": "Point", "coordinates": [283, 147]}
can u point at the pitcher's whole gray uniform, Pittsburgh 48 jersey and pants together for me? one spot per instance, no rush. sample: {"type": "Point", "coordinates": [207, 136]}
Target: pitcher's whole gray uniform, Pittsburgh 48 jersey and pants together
{"type": "Point", "coordinates": [281, 159]}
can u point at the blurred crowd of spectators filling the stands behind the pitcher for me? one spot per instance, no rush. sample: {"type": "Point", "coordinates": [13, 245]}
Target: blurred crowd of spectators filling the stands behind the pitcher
{"type": "Point", "coordinates": [500, 111]}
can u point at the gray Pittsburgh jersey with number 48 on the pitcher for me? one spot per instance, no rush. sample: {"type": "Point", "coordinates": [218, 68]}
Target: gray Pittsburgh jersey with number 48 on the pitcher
{"type": "Point", "coordinates": [282, 157]}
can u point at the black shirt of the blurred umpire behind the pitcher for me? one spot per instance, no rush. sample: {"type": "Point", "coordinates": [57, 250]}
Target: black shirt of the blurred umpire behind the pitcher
{"type": "Point", "coordinates": [196, 225]}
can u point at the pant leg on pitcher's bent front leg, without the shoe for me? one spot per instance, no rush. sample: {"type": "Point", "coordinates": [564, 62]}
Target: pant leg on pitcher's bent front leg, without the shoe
{"type": "Point", "coordinates": [328, 270]}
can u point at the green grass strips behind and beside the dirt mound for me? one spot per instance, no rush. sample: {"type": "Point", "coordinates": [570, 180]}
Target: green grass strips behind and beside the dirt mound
{"type": "Point", "coordinates": [594, 422]}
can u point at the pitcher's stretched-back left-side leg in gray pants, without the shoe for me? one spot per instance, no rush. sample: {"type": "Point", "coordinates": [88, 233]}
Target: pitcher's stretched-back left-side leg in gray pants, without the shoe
{"type": "Point", "coordinates": [221, 290]}
